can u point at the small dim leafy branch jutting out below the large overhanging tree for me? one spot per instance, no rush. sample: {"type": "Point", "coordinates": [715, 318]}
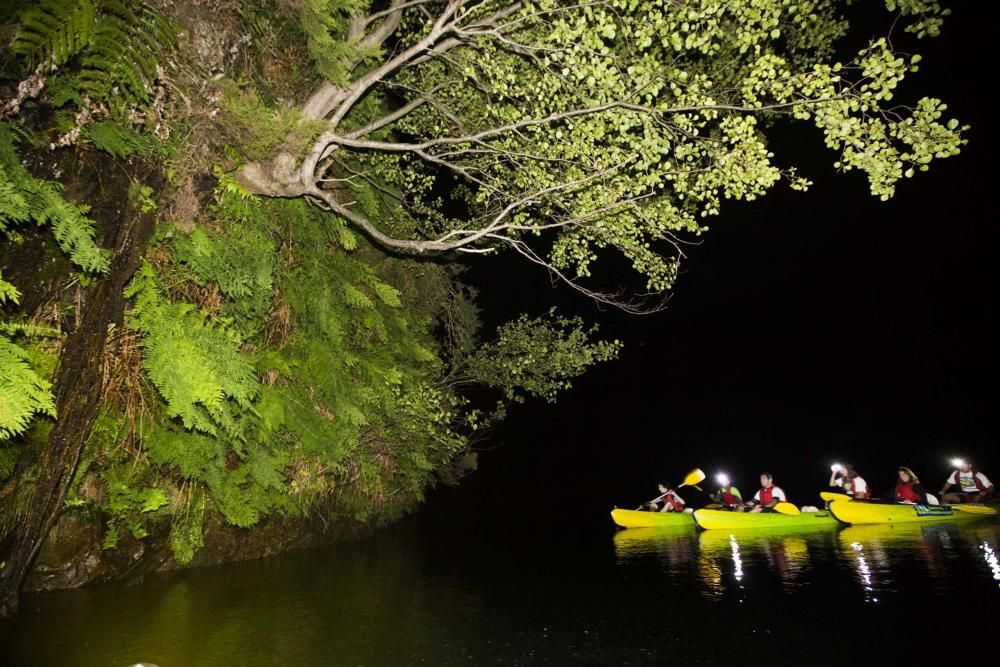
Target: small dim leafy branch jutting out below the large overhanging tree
{"type": "Point", "coordinates": [539, 356]}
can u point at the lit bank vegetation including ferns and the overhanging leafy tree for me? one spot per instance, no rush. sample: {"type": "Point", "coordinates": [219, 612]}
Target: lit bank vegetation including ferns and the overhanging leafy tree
{"type": "Point", "coordinates": [230, 273]}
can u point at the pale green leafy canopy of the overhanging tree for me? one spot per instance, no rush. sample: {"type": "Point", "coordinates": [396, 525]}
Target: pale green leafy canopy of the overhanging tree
{"type": "Point", "coordinates": [624, 126]}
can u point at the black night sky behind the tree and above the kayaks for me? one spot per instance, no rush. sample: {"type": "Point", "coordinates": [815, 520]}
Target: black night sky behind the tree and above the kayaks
{"type": "Point", "coordinates": [806, 328]}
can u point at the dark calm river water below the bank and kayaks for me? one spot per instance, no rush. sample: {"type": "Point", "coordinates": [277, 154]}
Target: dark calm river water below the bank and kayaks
{"type": "Point", "coordinates": [517, 589]}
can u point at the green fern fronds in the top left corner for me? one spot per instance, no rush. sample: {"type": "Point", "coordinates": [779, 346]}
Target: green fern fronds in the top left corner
{"type": "Point", "coordinates": [118, 44]}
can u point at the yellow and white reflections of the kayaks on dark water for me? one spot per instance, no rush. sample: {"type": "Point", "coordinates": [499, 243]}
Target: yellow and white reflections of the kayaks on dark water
{"type": "Point", "coordinates": [877, 556]}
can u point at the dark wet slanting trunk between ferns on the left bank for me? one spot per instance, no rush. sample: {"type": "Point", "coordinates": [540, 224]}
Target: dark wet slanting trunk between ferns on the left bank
{"type": "Point", "coordinates": [78, 389]}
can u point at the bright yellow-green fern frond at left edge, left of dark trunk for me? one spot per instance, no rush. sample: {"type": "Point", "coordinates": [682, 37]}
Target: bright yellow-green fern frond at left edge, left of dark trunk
{"type": "Point", "coordinates": [23, 393]}
